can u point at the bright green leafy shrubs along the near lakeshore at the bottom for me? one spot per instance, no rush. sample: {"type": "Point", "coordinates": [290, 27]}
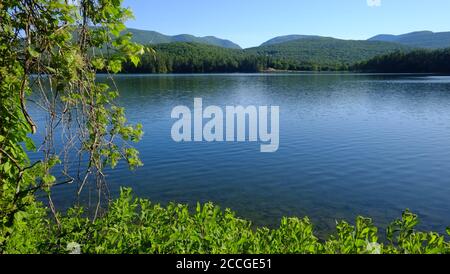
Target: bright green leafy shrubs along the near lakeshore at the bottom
{"type": "Point", "coordinates": [133, 225]}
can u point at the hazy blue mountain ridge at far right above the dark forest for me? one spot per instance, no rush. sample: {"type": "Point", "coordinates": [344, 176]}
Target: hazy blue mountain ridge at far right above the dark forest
{"type": "Point", "coordinates": [420, 39]}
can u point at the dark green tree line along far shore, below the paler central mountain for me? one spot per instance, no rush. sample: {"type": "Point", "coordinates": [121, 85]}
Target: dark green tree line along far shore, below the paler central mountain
{"type": "Point", "coordinates": [184, 57]}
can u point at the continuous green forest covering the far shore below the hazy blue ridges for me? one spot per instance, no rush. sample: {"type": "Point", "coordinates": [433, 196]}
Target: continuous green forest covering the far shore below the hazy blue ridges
{"type": "Point", "coordinates": [188, 57]}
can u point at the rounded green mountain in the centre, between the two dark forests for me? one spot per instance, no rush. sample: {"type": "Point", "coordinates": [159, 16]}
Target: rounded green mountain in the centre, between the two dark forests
{"type": "Point", "coordinates": [324, 51]}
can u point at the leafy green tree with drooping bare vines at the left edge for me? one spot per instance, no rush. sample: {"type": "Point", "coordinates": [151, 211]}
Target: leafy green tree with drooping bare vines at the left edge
{"type": "Point", "coordinates": [50, 48]}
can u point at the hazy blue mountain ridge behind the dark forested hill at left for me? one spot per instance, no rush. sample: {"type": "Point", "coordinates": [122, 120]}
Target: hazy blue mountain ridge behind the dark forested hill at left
{"type": "Point", "coordinates": [153, 37]}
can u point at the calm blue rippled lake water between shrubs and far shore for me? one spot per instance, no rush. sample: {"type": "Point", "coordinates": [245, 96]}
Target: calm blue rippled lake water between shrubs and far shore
{"type": "Point", "coordinates": [350, 145]}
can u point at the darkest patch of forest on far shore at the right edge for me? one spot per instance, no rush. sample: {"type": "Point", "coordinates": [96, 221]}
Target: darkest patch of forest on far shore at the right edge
{"type": "Point", "coordinates": [418, 61]}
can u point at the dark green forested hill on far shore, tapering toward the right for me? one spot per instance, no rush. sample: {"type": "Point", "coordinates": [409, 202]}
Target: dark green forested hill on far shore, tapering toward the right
{"type": "Point", "coordinates": [200, 58]}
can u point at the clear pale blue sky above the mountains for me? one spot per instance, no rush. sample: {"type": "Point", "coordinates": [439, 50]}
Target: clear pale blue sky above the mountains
{"type": "Point", "coordinates": [252, 22]}
